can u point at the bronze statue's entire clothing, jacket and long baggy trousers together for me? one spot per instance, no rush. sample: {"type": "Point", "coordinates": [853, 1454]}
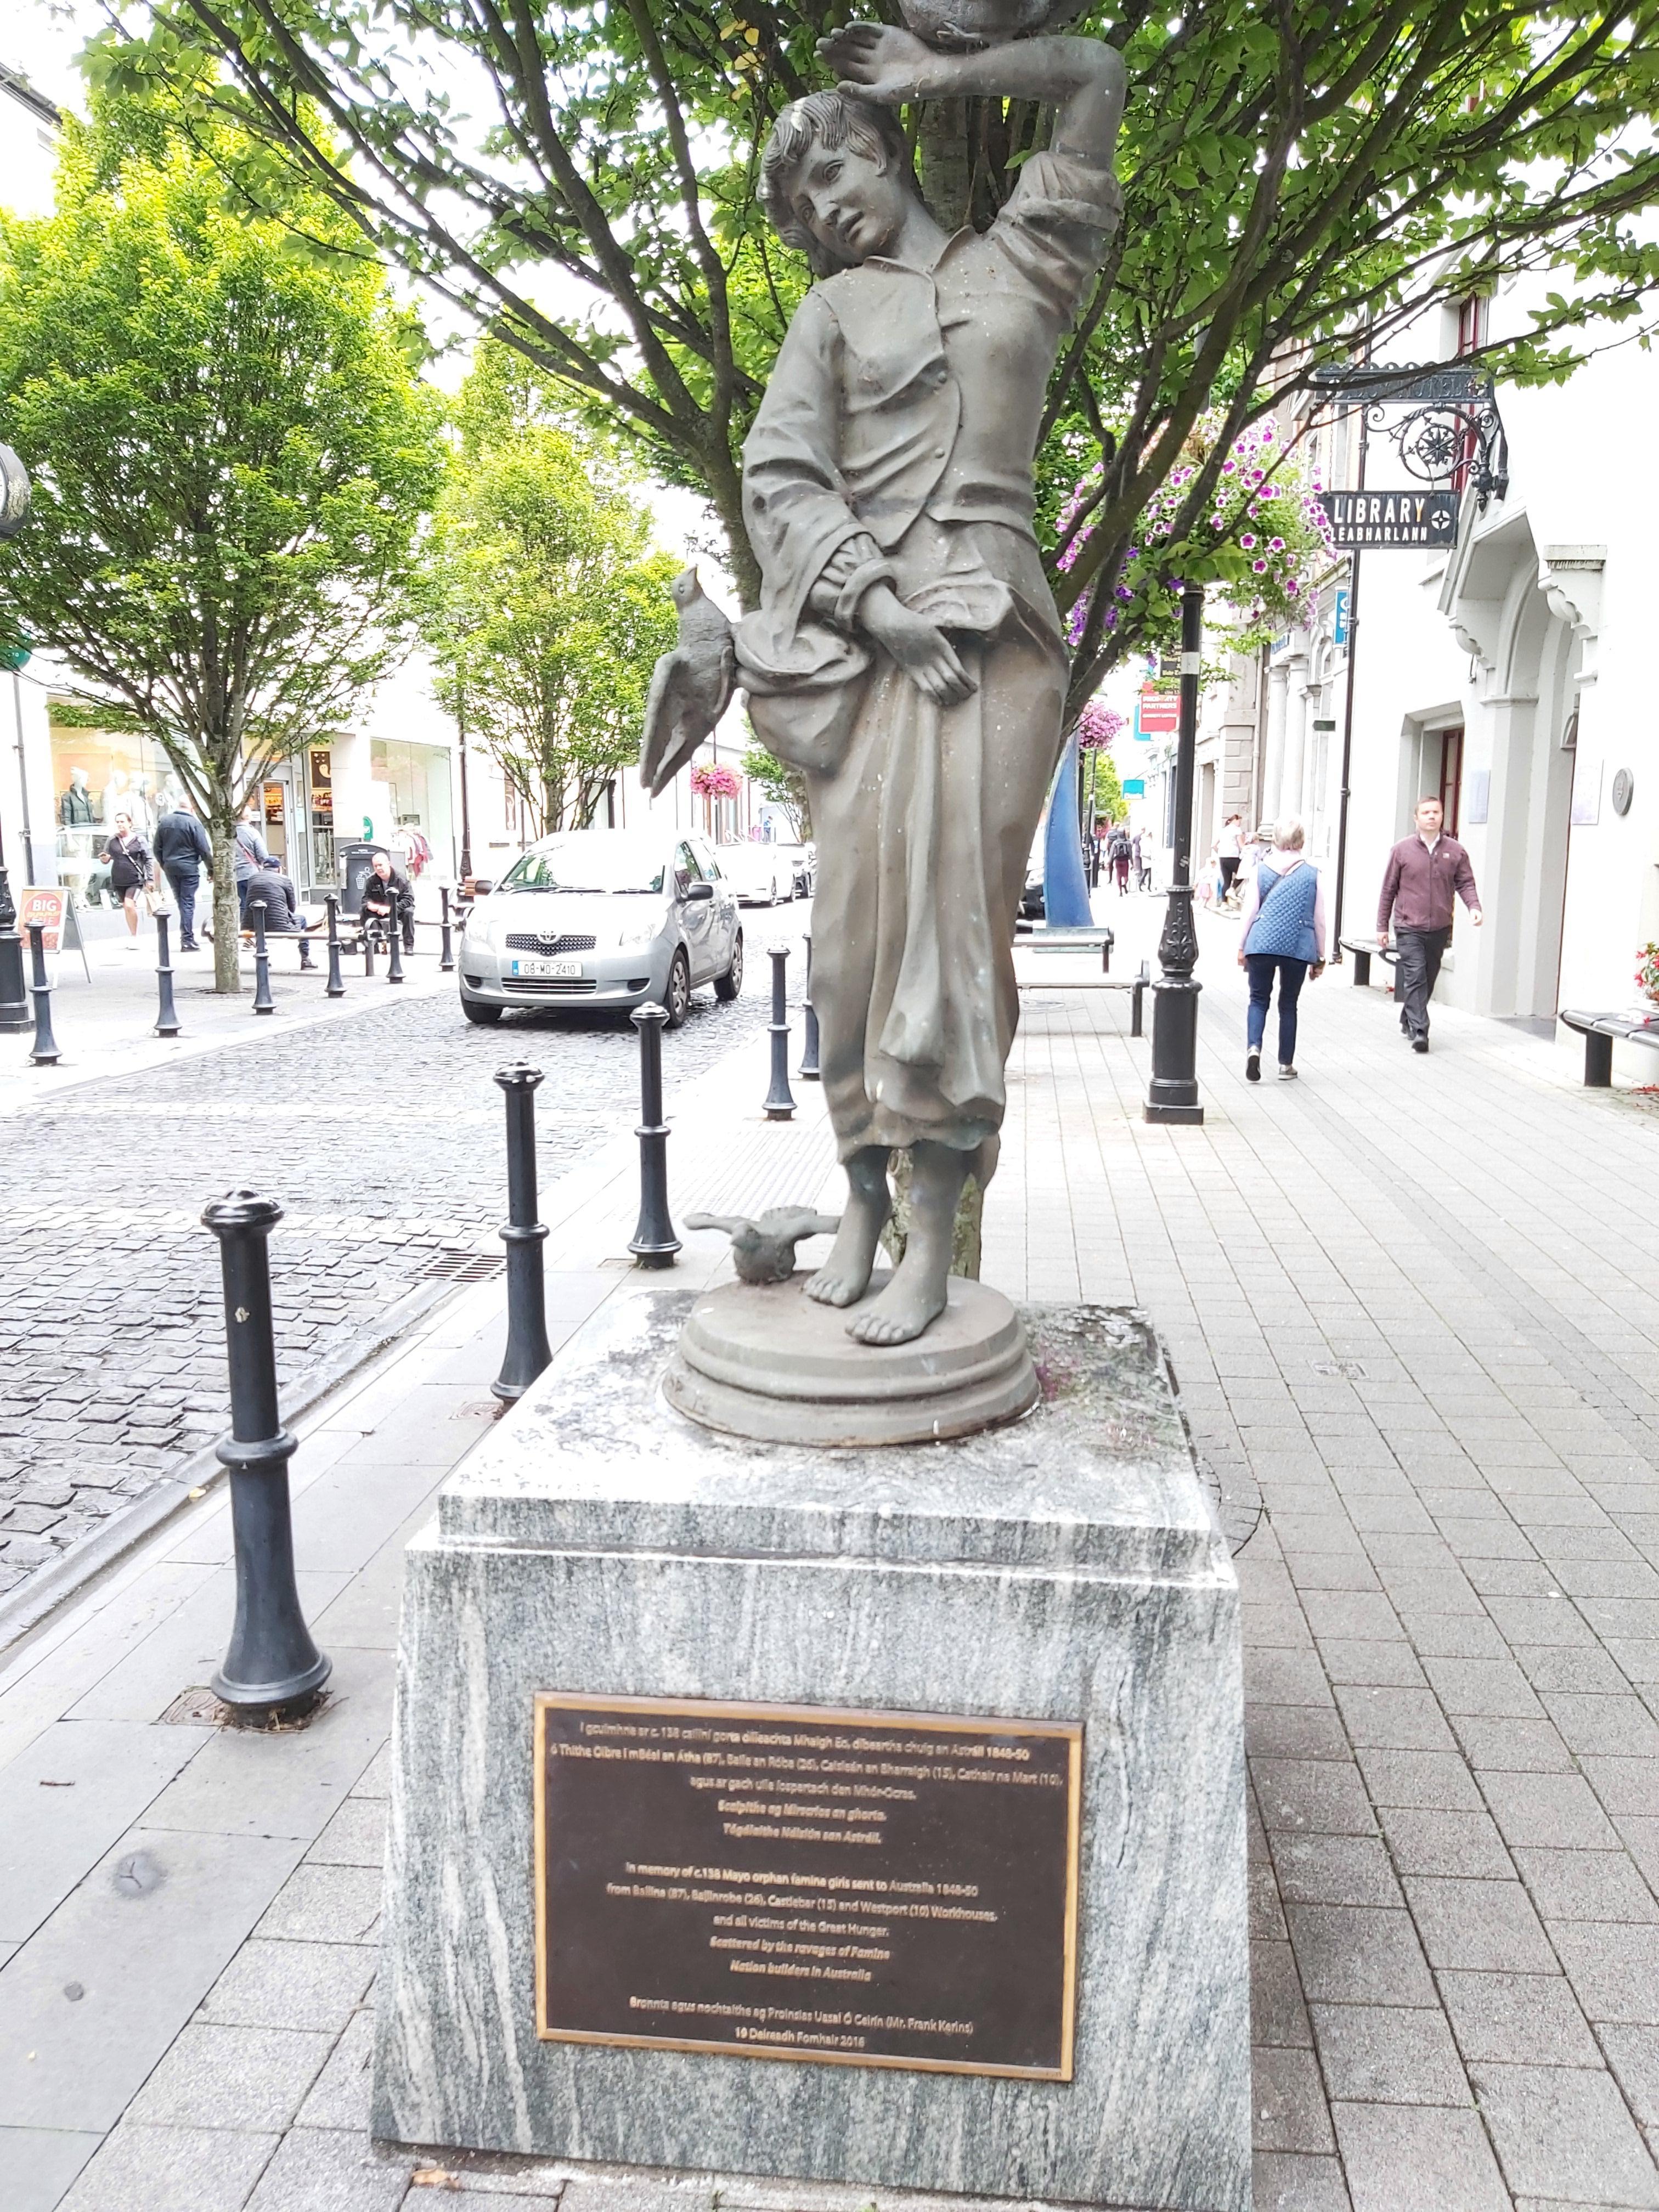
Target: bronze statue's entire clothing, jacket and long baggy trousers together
{"type": "Point", "coordinates": [897, 441]}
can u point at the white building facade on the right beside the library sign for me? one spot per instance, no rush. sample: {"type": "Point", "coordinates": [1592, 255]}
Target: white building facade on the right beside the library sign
{"type": "Point", "coordinates": [1503, 676]}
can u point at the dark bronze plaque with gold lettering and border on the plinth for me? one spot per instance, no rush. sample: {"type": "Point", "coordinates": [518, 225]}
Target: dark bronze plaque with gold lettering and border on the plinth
{"type": "Point", "coordinates": [797, 1884]}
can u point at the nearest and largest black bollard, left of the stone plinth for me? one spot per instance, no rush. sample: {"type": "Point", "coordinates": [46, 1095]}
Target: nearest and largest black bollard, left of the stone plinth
{"type": "Point", "coordinates": [271, 1669]}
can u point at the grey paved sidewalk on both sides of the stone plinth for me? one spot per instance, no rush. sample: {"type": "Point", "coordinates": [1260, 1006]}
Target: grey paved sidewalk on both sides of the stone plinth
{"type": "Point", "coordinates": [1412, 1313]}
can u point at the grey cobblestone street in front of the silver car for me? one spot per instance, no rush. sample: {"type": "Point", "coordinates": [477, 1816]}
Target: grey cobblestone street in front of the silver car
{"type": "Point", "coordinates": [384, 1140]}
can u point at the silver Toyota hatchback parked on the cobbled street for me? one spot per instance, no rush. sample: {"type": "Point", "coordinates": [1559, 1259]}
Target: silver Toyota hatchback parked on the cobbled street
{"type": "Point", "coordinates": [603, 919]}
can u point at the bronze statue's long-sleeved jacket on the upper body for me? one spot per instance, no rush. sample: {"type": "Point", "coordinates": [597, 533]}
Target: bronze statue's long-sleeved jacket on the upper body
{"type": "Point", "coordinates": [904, 410]}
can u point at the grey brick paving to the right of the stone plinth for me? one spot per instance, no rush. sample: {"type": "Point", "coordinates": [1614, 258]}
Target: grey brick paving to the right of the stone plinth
{"type": "Point", "coordinates": [1412, 1308]}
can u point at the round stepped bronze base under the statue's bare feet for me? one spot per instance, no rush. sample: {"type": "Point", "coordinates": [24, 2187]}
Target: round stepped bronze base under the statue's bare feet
{"type": "Point", "coordinates": [766, 1361]}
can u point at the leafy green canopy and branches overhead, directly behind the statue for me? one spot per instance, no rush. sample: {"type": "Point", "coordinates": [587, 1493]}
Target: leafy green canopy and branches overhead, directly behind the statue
{"type": "Point", "coordinates": [585, 180]}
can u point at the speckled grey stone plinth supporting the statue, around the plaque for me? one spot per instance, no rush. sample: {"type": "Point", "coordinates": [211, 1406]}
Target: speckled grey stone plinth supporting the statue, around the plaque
{"type": "Point", "coordinates": [1063, 1567]}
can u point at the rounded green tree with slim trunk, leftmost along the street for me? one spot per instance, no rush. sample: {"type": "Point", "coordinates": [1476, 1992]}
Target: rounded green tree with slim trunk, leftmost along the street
{"type": "Point", "coordinates": [231, 461]}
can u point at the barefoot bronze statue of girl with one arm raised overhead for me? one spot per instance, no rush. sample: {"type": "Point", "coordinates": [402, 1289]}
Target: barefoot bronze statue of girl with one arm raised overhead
{"type": "Point", "coordinates": [908, 654]}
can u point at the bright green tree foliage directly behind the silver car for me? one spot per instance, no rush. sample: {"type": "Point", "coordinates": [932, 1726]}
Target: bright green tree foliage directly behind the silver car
{"type": "Point", "coordinates": [543, 603]}
